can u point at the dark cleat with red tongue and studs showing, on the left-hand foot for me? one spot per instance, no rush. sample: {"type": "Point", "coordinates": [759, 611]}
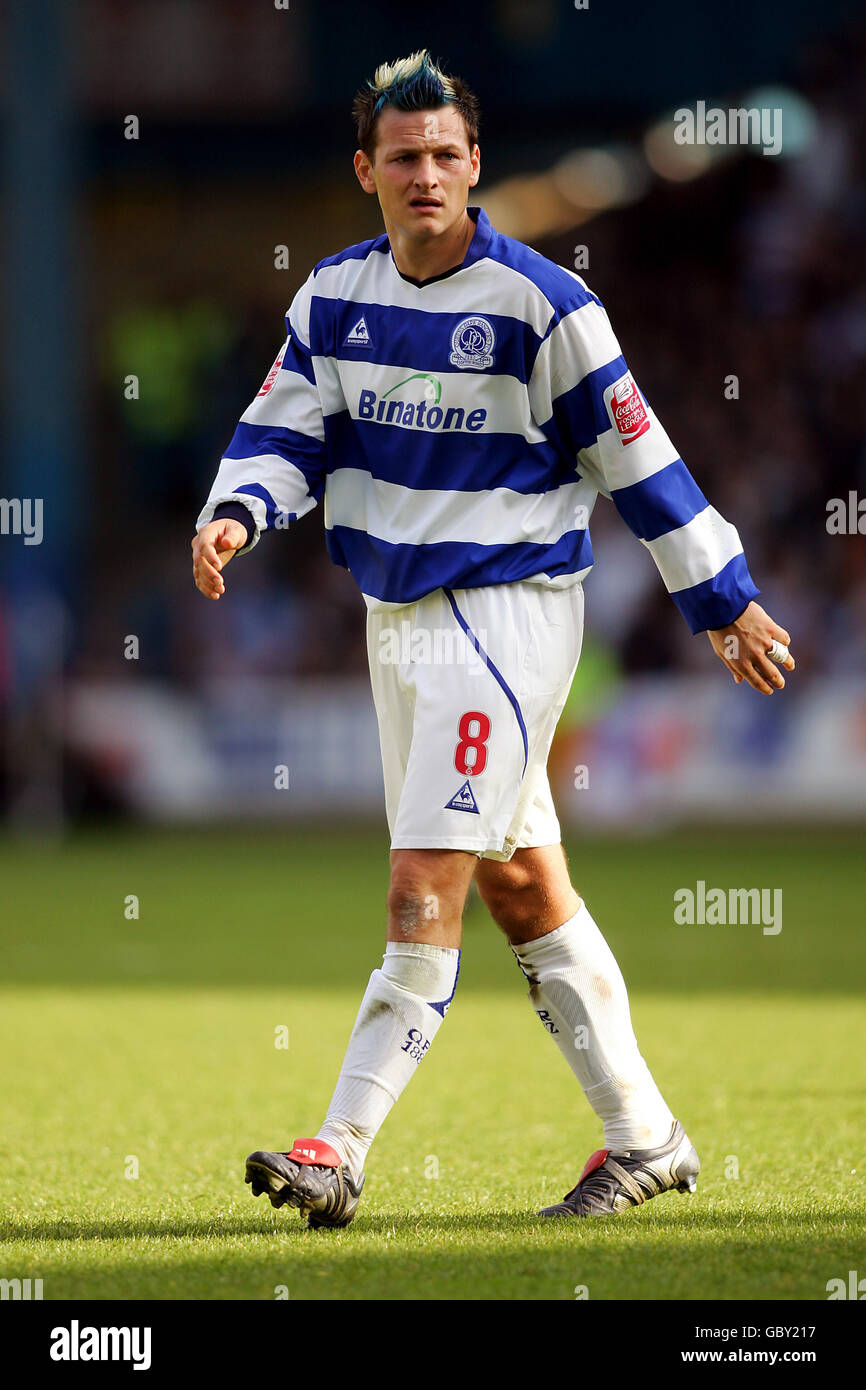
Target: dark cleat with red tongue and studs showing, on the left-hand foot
{"type": "Point", "coordinates": [311, 1178]}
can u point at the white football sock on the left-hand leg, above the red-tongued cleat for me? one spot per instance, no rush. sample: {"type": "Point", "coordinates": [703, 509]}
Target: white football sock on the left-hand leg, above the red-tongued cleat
{"type": "Point", "coordinates": [400, 1017]}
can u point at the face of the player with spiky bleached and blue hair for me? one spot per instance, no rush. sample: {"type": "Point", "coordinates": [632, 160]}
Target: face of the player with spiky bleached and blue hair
{"type": "Point", "coordinates": [422, 170]}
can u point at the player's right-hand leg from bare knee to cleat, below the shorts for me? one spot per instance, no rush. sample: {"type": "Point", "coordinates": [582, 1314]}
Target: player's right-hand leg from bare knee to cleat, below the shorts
{"type": "Point", "coordinates": [579, 993]}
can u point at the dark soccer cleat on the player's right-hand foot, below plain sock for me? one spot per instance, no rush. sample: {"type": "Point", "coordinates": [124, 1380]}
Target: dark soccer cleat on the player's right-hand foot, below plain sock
{"type": "Point", "coordinates": [616, 1182]}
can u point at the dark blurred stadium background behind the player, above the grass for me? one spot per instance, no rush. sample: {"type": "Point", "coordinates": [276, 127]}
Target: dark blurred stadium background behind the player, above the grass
{"type": "Point", "coordinates": [714, 262]}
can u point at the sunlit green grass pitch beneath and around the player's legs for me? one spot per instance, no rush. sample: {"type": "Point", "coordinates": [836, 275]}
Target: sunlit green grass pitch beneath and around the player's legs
{"type": "Point", "coordinates": [154, 1039]}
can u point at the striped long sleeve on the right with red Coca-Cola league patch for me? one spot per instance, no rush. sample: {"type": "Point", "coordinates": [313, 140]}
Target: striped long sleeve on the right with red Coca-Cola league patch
{"type": "Point", "coordinates": [590, 405]}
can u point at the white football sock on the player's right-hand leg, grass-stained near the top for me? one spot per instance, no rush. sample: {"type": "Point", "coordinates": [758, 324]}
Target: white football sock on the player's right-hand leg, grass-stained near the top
{"type": "Point", "coordinates": [578, 990]}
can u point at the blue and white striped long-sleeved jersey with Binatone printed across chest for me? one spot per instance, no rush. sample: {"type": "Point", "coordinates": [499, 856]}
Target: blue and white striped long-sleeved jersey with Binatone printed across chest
{"type": "Point", "coordinates": [461, 430]}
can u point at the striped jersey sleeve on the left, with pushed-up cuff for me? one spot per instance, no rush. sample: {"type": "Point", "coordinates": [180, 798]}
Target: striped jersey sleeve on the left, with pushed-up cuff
{"type": "Point", "coordinates": [276, 462]}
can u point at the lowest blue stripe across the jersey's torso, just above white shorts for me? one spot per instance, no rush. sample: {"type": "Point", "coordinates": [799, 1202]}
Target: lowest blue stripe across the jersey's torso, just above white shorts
{"type": "Point", "coordinates": [405, 573]}
